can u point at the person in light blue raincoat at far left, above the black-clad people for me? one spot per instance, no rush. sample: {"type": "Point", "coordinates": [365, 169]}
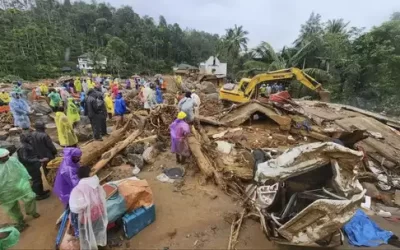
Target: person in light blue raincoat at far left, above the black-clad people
{"type": "Point", "coordinates": [20, 111]}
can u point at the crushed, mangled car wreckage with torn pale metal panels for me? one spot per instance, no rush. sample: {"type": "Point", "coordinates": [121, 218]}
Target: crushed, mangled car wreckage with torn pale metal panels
{"type": "Point", "coordinates": [306, 194]}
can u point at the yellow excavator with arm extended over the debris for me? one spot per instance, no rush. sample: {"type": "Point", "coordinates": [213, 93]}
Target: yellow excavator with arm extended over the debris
{"type": "Point", "coordinates": [248, 88]}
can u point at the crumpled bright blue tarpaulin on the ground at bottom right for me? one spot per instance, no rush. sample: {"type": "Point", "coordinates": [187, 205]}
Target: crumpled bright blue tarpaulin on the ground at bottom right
{"type": "Point", "coordinates": [362, 231]}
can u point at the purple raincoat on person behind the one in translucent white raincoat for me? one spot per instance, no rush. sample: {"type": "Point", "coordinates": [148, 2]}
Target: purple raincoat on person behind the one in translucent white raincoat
{"type": "Point", "coordinates": [67, 175]}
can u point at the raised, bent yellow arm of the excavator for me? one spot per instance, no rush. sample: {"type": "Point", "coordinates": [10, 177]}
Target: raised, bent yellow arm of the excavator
{"type": "Point", "coordinates": [284, 74]}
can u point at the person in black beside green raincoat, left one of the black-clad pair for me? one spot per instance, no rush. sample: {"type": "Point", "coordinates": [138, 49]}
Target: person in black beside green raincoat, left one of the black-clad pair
{"type": "Point", "coordinates": [28, 157]}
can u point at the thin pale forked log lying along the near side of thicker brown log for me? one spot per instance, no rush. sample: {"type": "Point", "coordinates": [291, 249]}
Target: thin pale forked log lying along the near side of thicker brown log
{"type": "Point", "coordinates": [107, 156]}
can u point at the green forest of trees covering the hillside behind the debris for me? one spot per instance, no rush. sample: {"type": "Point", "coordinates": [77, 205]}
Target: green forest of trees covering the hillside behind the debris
{"type": "Point", "coordinates": [38, 39]}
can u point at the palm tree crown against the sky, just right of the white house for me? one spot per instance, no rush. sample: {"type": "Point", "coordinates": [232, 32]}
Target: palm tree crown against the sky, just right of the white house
{"type": "Point", "coordinates": [235, 40]}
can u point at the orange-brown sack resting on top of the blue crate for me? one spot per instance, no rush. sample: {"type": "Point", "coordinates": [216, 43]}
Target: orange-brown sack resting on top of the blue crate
{"type": "Point", "coordinates": [137, 193]}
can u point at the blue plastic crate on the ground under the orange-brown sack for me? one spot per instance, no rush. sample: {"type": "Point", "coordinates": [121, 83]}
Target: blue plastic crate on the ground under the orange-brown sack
{"type": "Point", "coordinates": [137, 220]}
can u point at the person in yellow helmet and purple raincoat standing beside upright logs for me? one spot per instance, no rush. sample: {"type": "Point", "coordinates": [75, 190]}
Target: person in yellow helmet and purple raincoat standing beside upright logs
{"type": "Point", "coordinates": [179, 131]}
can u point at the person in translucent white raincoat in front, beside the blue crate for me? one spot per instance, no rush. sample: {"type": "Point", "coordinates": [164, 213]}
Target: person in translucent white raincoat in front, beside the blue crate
{"type": "Point", "coordinates": [88, 201]}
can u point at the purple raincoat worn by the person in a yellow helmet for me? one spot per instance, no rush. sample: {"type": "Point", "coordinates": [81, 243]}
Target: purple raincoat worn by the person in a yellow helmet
{"type": "Point", "coordinates": [179, 129]}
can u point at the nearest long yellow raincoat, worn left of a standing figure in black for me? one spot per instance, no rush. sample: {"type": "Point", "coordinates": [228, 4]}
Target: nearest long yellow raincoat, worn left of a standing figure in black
{"type": "Point", "coordinates": [65, 132]}
